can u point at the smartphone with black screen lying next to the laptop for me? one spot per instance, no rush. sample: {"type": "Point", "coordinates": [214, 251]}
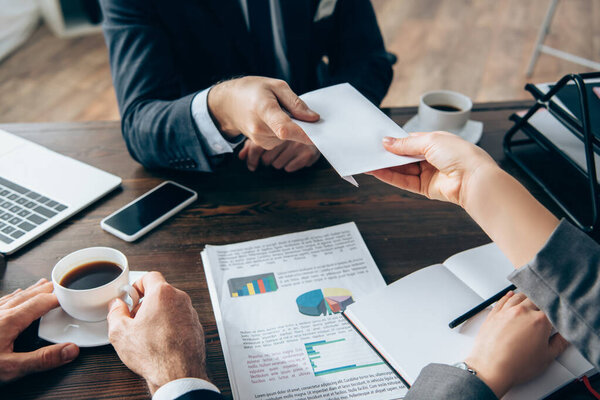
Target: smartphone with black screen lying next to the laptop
{"type": "Point", "coordinates": [148, 211]}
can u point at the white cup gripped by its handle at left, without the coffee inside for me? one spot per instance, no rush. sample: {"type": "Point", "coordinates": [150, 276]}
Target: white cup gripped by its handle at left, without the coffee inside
{"type": "Point", "coordinates": [91, 305]}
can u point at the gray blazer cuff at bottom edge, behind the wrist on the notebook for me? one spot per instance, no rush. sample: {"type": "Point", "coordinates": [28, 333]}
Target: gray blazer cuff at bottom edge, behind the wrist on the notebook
{"type": "Point", "coordinates": [444, 382]}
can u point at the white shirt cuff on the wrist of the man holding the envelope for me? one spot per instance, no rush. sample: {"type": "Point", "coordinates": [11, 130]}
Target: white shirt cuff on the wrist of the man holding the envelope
{"type": "Point", "coordinates": [216, 143]}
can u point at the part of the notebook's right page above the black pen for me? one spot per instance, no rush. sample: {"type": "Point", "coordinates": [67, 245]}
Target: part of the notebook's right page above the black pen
{"type": "Point", "coordinates": [484, 269]}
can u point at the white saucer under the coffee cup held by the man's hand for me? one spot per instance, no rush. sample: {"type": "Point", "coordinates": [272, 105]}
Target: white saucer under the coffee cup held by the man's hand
{"type": "Point", "coordinates": [58, 327]}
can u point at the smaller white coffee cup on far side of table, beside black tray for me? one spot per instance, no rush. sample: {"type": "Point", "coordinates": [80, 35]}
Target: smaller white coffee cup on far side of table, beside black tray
{"type": "Point", "coordinates": [432, 119]}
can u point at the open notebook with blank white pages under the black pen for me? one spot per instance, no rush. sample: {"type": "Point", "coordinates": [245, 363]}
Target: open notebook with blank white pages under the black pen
{"type": "Point", "coordinates": [407, 322]}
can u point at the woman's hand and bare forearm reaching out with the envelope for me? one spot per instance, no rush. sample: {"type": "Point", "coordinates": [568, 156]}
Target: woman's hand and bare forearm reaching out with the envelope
{"type": "Point", "coordinates": [460, 172]}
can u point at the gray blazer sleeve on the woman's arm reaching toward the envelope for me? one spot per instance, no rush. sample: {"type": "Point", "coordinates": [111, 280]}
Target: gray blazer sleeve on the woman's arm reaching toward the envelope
{"type": "Point", "coordinates": [563, 280]}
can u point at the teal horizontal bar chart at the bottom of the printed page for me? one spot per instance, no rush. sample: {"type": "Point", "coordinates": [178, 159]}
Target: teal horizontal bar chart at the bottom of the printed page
{"type": "Point", "coordinates": [339, 355]}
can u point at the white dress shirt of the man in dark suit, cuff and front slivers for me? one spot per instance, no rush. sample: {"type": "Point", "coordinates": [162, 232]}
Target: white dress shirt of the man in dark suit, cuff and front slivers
{"type": "Point", "coordinates": [217, 144]}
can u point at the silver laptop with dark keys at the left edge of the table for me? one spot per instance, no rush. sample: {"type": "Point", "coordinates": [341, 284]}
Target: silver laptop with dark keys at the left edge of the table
{"type": "Point", "coordinates": [40, 188]}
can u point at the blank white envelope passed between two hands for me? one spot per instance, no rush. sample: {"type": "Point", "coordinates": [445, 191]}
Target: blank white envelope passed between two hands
{"type": "Point", "coordinates": [350, 131]}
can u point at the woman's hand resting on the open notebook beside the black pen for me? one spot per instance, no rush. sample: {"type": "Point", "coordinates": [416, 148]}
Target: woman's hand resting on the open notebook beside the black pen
{"type": "Point", "coordinates": [514, 344]}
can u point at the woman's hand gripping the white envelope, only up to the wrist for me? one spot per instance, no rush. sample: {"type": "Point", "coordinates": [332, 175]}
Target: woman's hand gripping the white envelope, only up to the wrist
{"type": "Point", "coordinates": [450, 163]}
